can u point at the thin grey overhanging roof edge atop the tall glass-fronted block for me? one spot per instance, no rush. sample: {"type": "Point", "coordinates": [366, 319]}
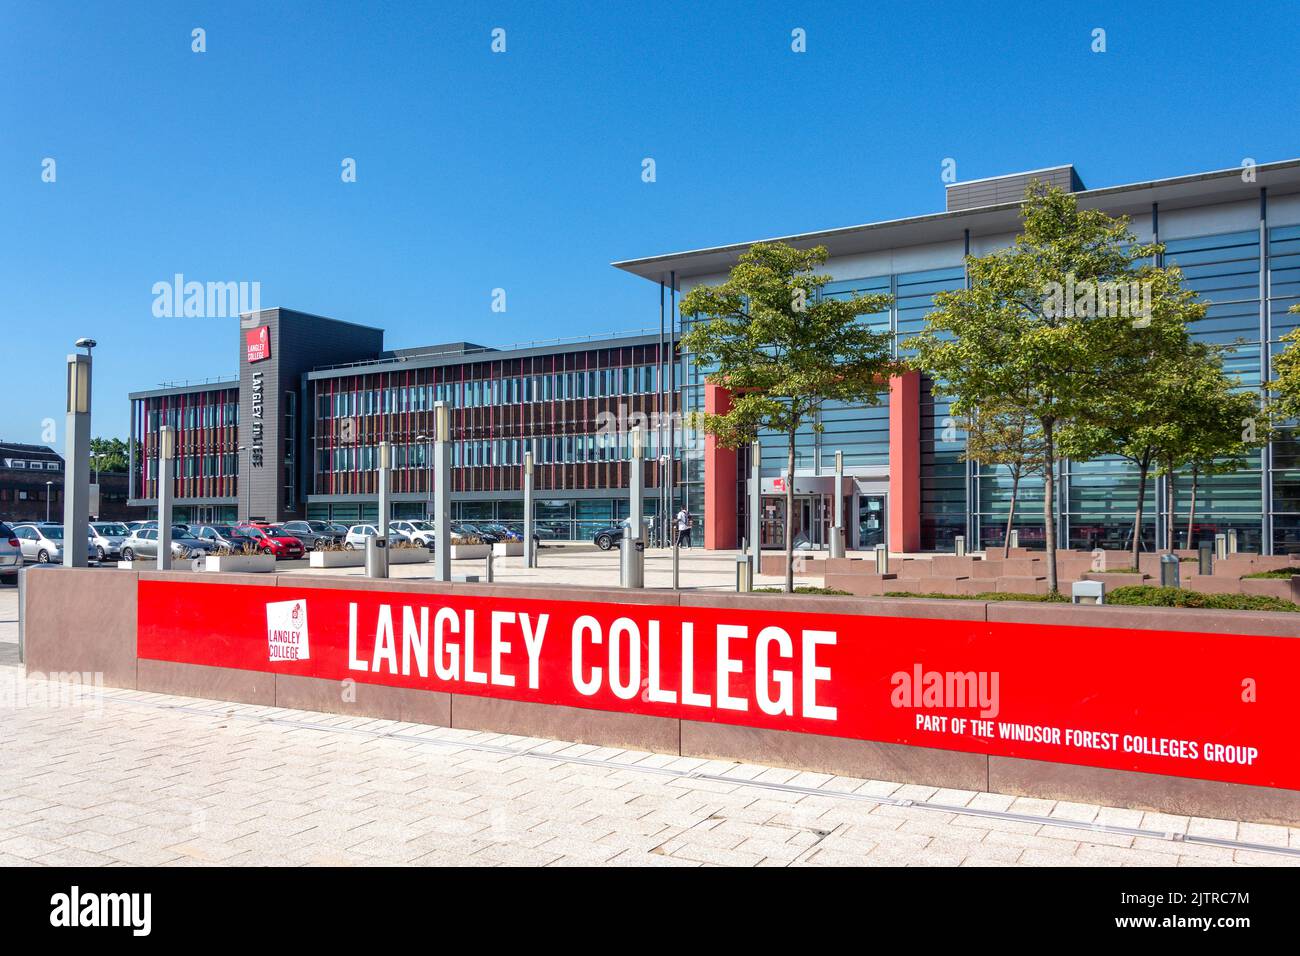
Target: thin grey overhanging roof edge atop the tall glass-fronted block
{"type": "Point", "coordinates": [645, 267]}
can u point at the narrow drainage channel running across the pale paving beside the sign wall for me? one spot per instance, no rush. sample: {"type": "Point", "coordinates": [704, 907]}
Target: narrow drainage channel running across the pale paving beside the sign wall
{"type": "Point", "coordinates": [1007, 816]}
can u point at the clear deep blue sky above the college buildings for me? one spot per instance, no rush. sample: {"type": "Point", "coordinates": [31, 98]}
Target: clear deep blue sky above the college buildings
{"type": "Point", "coordinates": [522, 171]}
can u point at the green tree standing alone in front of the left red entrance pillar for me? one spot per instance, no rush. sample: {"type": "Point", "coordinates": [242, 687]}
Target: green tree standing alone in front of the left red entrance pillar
{"type": "Point", "coordinates": [783, 351]}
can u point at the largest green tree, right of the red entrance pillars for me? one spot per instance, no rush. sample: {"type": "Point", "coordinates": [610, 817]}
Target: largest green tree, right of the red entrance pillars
{"type": "Point", "coordinates": [1054, 317]}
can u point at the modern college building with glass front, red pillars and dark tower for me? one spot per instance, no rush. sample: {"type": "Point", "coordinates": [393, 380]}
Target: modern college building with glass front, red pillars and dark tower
{"type": "Point", "coordinates": [297, 435]}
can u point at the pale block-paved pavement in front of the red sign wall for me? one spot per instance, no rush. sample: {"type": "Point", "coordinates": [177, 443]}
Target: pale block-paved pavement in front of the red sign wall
{"type": "Point", "coordinates": [129, 778]}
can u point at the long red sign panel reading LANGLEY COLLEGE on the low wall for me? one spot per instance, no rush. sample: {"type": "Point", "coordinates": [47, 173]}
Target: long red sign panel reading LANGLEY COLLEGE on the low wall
{"type": "Point", "coordinates": [1214, 707]}
